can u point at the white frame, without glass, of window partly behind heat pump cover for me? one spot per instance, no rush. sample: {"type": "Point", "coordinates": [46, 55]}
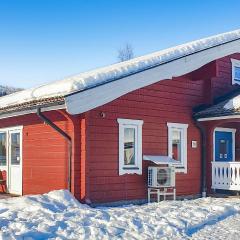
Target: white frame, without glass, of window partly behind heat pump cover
{"type": "Point", "coordinates": [180, 167]}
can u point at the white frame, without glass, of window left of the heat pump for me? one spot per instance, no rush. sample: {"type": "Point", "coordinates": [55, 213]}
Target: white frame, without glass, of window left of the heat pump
{"type": "Point", "coordinates": [137, 125]}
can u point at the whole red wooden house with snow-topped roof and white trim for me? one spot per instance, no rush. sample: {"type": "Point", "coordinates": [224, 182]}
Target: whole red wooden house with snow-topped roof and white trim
{"type": "Point", "coordinates": [89, 132]}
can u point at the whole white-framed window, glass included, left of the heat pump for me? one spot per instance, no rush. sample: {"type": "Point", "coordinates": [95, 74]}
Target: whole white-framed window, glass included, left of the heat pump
{"type": "Point", "coordinates": [130, 146]}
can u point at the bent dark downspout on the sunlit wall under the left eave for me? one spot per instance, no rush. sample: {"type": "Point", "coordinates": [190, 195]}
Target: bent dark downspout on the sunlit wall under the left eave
{"type": "Point", "coordinates": [66, 136]}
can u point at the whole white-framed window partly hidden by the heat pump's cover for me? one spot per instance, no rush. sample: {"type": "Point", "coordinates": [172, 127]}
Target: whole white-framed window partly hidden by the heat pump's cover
{"type": "Point", "coordinates": [177, 145]}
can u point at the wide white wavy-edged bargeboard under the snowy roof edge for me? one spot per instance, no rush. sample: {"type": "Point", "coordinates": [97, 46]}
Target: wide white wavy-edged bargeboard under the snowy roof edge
{"type": "Point", "coordinates": [97, 96]}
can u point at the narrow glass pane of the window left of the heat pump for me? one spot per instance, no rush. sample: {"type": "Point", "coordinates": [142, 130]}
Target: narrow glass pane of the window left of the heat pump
{"type": "Point", "coordinates": [129, 146]}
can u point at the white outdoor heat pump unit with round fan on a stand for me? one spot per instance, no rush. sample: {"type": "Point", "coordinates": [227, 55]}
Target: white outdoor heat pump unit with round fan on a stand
{"type": "Point", "coordinates": [161, 177]}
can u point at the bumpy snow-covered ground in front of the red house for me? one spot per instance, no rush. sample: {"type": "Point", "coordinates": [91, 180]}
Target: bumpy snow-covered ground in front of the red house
{"type": "Point", "coordinates": [57, 215]}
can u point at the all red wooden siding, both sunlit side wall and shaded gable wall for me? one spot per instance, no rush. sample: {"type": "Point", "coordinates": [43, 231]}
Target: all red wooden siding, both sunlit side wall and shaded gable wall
{"type": "Point", "coordinates": [95, 139]}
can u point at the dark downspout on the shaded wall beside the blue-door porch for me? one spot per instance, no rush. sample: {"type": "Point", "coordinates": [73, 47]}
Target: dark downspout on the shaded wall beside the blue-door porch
{"type": "Point", "coordinates": [203, 159]}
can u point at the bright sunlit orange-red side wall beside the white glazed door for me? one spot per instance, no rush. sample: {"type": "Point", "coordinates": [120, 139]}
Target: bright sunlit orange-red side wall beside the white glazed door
{"type": "Point", "coordinates": [45, 152]}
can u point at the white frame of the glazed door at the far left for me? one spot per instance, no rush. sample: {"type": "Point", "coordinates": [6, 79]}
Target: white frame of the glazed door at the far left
{"type": "Point", "coordinates": [6, 168]}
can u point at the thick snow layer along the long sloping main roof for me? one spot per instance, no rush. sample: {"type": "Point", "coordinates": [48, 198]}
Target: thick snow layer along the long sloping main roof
{"type": "Point", "coordinates": [98, 77]}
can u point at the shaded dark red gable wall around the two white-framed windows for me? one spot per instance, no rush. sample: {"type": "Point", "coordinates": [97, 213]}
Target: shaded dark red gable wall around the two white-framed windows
{"type": "Point", "coordinates": [165, 101]}
